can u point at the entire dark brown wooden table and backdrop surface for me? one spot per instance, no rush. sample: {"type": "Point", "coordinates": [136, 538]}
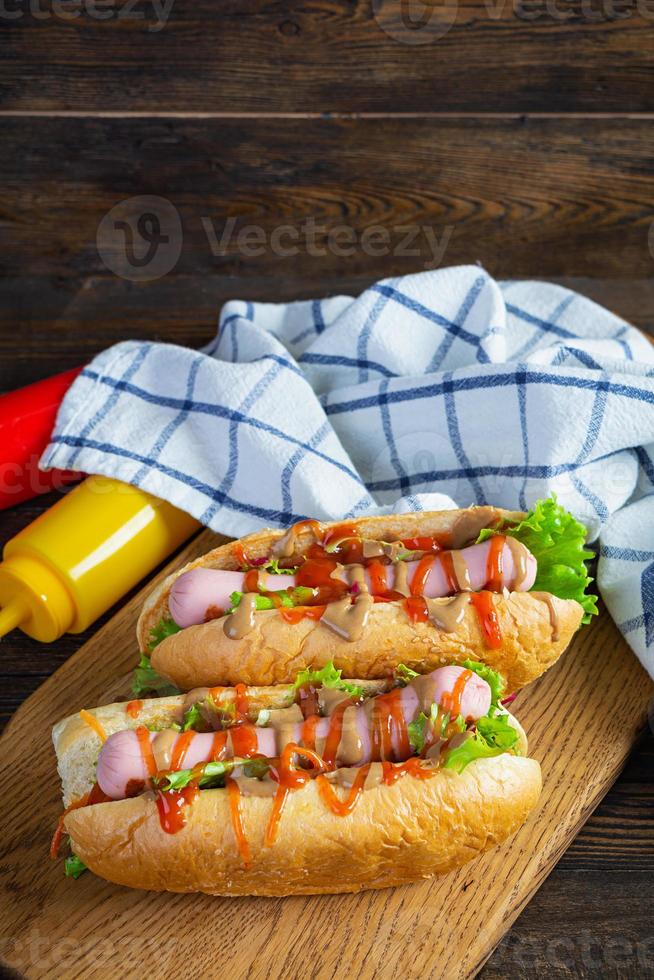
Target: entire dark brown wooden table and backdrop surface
{"type": "Point", "coordinates": [515, 134]}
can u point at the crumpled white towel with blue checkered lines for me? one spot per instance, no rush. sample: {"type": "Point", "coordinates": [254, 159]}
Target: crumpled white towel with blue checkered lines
{"type": "Point", "coordinates": [440, 387]}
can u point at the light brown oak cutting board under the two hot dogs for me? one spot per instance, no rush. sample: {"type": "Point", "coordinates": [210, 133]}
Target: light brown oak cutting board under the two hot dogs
{"type": "Point", "coordinates": [582, 718]}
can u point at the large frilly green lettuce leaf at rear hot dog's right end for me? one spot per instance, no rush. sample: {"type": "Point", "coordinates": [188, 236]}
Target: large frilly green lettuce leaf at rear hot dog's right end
{"type": "Point", "coordinates": [556, 540]}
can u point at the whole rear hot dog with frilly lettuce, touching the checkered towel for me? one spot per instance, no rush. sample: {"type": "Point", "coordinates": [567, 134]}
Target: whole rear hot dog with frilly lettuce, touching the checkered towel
{"type": "Point", "coordinates": [429, 588]}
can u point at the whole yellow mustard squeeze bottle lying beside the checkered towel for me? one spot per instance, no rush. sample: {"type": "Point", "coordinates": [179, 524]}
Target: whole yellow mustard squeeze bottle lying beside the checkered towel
{"type": "Point", "coordinates": [61, 572]}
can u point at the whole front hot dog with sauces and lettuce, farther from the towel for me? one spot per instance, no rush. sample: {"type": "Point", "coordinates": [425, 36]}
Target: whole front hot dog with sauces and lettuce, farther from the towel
{"type": "Point", "coordinates": [261, 791]}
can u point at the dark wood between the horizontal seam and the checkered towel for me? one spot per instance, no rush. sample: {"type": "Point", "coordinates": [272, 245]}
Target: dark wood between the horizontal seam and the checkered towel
{"type": "Point", "coordinates": [536, 198]}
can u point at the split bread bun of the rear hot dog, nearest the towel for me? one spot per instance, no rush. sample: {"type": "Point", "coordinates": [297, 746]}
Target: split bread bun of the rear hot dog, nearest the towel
{"type": "Point", "coordinates": [536, 627]}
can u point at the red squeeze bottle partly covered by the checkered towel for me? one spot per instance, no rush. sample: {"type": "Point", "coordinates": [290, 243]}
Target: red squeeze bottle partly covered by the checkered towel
{"type": "Point", "coordinates": [27, 418]}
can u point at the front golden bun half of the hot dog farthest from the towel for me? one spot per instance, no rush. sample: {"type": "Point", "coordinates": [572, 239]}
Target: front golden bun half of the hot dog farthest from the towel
{"type": "Point", "coordinates": [396, 835]}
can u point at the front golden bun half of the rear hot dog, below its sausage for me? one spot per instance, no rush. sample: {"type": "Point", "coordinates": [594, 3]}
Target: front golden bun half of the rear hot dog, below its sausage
{"type": "Point", "coordinates": [274, 651]}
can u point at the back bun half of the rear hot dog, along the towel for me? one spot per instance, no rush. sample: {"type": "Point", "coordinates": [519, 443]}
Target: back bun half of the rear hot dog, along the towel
{"type": "Point", "coordinates": [393, 527]}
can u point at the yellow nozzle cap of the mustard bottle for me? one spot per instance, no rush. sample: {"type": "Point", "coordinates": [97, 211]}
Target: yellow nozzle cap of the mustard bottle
{"type": "Point", "coordinates": [33, 597]}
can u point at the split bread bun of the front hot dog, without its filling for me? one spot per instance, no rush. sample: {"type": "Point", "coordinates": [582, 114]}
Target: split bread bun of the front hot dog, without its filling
{"type": "Point", "coordinates": [397, 833]}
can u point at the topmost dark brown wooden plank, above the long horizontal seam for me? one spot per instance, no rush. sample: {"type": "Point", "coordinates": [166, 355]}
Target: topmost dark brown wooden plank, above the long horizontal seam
{"type": "Point", "coordinates": [330, 55]}
